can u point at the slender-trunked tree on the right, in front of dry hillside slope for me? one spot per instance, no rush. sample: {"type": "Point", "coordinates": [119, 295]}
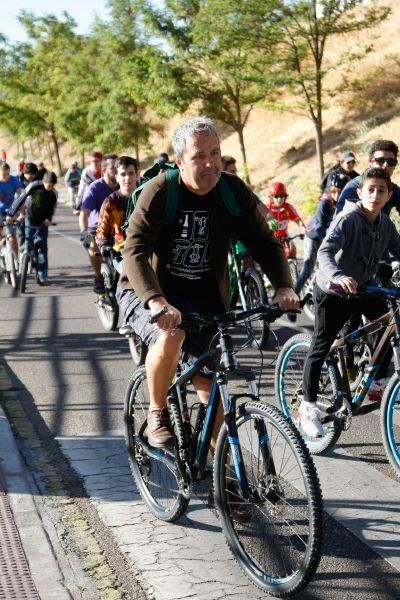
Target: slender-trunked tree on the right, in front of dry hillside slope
{"type": "Point", "coordinates": [301, 66]}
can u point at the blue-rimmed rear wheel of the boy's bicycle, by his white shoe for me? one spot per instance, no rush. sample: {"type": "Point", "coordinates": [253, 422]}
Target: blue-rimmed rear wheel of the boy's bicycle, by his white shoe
{"type": "Point", "coordinates": [289, 389]}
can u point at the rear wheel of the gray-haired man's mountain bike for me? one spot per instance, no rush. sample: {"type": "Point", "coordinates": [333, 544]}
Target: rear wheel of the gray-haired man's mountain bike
{"type": "Point", "coordinates": [154, 469]}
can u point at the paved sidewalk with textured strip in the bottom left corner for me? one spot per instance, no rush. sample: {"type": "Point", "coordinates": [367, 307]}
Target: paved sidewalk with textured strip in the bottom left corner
{"type": "Point", "coordinates": [28, 566]}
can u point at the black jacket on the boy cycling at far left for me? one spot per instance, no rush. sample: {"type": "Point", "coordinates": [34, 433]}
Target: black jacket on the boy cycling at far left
{"type": "Point", "coordinates": [39, 203]}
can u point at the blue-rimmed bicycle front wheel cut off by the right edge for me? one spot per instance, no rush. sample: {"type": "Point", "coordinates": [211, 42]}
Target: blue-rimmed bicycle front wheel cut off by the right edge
{"type": "Point", "coordinates": [390, 422]}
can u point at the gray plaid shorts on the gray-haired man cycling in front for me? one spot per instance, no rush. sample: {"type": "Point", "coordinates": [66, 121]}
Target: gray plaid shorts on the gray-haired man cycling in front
{"type": "Point", "coordinates": [137, 316]}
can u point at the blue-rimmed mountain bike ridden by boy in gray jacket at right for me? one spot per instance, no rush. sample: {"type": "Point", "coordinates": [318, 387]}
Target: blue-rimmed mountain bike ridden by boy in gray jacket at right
{"type": "Point", "coordinates": [337, 397]}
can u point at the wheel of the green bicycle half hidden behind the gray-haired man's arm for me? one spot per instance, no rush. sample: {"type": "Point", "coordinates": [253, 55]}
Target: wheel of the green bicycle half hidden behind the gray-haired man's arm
{"type": "Point", "coordinates": [256, 295]}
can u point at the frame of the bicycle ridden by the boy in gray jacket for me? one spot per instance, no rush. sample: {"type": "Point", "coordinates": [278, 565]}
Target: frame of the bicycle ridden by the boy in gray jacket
{"type": "Point", "coordinates": [391, 322]}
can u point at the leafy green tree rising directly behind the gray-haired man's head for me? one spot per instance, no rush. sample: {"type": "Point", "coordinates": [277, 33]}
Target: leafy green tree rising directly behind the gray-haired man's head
{"type": "Point", "coordinates": [217, 64]}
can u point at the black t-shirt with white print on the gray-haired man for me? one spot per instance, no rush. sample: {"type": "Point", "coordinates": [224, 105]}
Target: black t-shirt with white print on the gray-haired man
{"type": "Point", "coordinates": [191, 283]}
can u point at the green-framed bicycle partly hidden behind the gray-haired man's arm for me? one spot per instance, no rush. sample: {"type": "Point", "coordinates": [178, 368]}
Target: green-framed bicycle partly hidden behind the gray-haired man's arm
{"type": "Point", "coordinates": [247, 285]}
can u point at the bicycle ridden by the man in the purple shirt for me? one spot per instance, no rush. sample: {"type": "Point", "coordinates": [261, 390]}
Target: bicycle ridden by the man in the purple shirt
{"type": "Point", "coordinates": [106, 303]}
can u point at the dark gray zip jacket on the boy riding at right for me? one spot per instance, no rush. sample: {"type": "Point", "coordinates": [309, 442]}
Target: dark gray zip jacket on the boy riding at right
{"type": "Point", "coordinates": [353, 246]}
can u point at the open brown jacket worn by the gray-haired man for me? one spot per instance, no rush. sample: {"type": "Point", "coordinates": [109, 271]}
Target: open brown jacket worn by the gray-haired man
{"type": "Point", "coordinates": [148, 240]}
